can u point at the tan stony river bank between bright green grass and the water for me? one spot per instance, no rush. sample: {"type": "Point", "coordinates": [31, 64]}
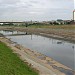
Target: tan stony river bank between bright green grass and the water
{"type": "Point", "coordinates": [44, 64]}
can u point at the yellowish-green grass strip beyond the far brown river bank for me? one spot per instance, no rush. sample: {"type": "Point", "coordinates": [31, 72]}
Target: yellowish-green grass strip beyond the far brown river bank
{"type": "Point", "coordinates": [48, 26]}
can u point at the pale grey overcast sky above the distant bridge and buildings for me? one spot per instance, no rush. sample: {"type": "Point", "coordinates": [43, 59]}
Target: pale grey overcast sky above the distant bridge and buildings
{"type": "Point", "coordinates": [36, 10]}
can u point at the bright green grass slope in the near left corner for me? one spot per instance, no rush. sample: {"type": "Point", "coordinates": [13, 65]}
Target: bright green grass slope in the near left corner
{"type": "Point", "coordinates": [11, 64]}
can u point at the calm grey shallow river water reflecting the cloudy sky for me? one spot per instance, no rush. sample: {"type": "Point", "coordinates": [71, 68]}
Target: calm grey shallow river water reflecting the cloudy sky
{"type": "Point", "coordinates": [59, 50]}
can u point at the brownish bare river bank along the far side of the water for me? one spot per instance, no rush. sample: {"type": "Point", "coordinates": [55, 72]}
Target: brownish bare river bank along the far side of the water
{"type": "Point", "coordinates": [61, 34]}
